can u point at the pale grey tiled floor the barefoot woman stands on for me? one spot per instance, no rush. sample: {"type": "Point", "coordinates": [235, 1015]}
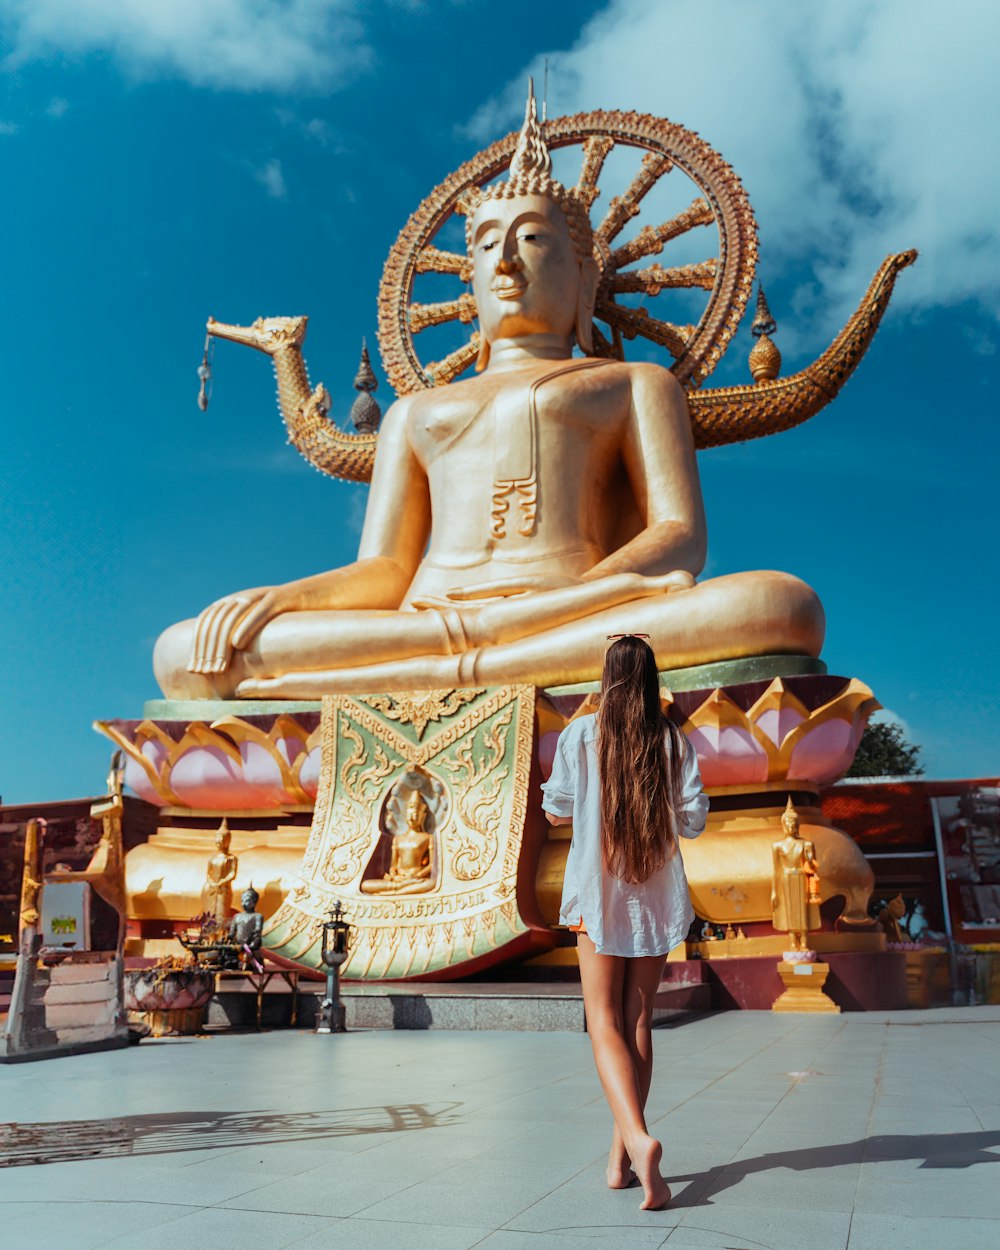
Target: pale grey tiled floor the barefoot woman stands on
{"type": "Point", "coordinates": [876, 1132]}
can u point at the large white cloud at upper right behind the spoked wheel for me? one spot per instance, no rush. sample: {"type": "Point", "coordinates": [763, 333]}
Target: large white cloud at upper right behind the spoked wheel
{"type": "Point", "coordinates": [857, 128]}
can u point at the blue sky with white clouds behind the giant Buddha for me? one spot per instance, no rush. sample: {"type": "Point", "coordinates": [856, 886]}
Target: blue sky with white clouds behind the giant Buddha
{"type": "Point", "coordinates": [167, 163]}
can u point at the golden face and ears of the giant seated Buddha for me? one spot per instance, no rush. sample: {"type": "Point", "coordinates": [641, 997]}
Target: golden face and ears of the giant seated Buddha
{"type": "Point", "coordinates": [527, 276]}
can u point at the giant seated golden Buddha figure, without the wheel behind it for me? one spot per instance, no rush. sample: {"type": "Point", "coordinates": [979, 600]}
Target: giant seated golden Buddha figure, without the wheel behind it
{"type": "Point", "coordinates": [516, 518]}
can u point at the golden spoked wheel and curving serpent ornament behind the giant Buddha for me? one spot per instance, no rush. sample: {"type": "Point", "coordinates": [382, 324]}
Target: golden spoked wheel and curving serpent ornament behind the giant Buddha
{"type": "Point", "coordinates": [719, 417]}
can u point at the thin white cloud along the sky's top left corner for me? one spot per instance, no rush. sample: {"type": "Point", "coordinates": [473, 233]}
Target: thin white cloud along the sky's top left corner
{"type": "Point", "coordinates": [227, 44]}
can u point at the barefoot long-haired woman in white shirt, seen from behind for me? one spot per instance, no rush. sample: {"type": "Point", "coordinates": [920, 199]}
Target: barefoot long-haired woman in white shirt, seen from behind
{"type": "Point", "coordinates": [628, 782]}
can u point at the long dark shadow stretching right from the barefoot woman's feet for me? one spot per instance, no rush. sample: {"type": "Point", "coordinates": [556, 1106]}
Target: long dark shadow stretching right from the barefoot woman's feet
{"type": "Point", "coordinates": [937, 1151]}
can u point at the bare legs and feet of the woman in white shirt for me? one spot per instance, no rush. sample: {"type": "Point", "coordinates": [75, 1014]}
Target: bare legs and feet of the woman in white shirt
{"type": "Point", "coordinates": [618, 998]}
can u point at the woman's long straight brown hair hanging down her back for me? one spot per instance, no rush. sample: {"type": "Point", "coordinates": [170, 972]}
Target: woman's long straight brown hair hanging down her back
{"type": "Point", "coordinates": [639, 788]}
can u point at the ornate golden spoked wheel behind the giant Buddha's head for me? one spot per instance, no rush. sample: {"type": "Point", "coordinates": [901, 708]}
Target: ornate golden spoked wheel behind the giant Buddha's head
{"type": "Point", "coordinates": [727, 277]}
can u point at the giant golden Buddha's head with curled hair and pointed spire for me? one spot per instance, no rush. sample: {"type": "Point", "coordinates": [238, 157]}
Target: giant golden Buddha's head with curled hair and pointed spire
{"type": "Point", "coordinates": [534, 268]}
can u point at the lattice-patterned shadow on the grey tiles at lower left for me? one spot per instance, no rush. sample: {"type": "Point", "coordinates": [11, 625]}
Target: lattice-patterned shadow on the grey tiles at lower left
{"type": "Point", "coordinates": [71, 1141]}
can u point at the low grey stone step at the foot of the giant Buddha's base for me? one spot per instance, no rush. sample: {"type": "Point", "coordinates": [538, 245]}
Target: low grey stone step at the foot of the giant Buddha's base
{"type": "Point", "coordinates": [512, 1007]}
